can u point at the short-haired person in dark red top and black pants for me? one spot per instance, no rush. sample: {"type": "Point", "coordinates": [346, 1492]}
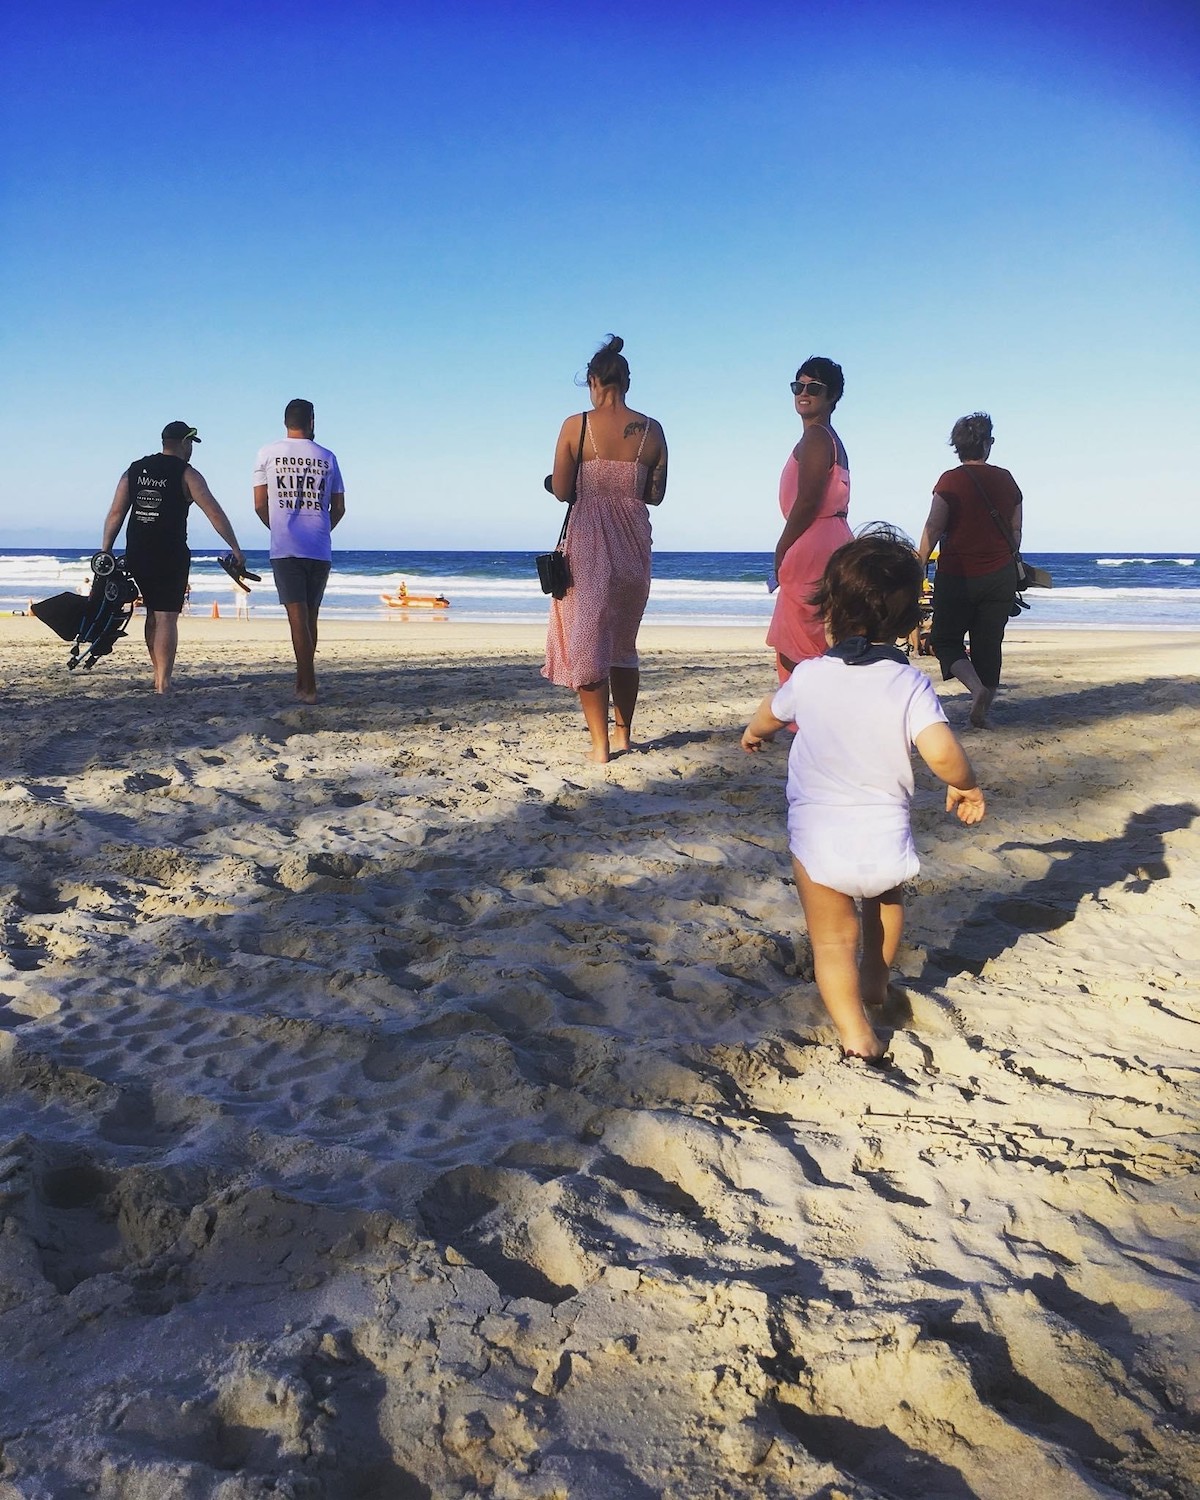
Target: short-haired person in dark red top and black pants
{"type": "Point", "coordinates": [977, 520]}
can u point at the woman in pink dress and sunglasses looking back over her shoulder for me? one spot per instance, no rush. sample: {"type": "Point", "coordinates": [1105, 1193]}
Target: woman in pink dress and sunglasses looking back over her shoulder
{"type": "Point", "coordinates": [815, 499]}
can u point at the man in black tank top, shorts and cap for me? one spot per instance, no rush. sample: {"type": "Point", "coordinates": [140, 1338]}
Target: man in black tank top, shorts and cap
{"type": "Point", "coordinates": [155, 493]}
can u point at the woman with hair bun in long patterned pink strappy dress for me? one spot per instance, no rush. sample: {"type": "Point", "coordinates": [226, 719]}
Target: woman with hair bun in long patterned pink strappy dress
{"type": "Point", "coordinates": [592, 643]}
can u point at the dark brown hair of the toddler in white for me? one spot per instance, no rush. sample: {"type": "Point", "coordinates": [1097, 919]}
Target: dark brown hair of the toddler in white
{"type": "Point", "coordinates": [872, 587]}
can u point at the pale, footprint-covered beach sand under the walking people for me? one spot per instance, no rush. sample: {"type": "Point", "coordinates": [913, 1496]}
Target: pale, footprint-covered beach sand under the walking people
{"type": "Point", "coordinates": [397, 1106]}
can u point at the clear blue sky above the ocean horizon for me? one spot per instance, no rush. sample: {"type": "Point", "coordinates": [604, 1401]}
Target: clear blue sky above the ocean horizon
{"type": "Point", "coordinates": [427, 217]}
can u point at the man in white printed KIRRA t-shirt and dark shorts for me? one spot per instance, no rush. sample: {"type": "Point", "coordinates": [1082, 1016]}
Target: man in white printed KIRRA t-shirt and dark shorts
{"type": "Point", "coordinates": [299, 496]}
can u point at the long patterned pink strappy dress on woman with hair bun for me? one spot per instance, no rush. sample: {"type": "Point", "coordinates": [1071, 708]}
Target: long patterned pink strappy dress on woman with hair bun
{"type": "Point", "coordinates": [595, 628]}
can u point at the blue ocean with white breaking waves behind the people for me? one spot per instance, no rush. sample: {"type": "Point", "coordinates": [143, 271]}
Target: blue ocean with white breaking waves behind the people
{"type": "Point", "coordinates": [1111, 590]}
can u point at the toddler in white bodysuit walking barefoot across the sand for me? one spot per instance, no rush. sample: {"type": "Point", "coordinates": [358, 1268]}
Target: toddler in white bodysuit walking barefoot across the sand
{"type": "Point", "coordinates": [859, 712]}
